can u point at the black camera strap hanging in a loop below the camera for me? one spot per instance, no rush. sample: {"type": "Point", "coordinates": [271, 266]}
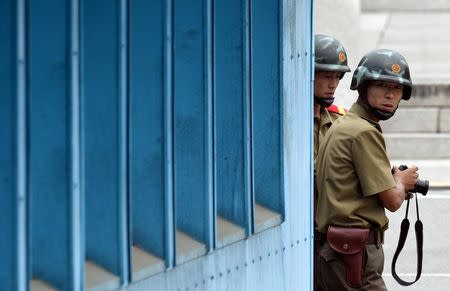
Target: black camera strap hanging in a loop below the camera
{"type": "Point", "coordinates": [401, 243]}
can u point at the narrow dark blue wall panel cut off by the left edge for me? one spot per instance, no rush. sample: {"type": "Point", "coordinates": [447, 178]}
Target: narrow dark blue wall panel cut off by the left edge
{"type": "Point", "coordinates": [7, 163]}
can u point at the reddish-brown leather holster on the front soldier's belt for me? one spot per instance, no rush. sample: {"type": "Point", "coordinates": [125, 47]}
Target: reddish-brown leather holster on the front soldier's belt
{"type": "Point", "coordinates": [350, 242]}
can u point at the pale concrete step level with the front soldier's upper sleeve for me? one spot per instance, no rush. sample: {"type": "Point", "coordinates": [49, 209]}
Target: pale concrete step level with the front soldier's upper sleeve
{"type": "Point", "coordinates": [425, 146]}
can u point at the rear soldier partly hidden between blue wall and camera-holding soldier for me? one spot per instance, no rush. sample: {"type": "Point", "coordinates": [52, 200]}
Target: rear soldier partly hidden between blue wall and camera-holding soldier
{"type": "Point", "coordinates": [330, 67]}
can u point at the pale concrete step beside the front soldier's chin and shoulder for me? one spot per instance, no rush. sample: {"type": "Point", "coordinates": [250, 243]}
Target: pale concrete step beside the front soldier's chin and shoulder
{"type": "Point", "coordinates": [418, 120]}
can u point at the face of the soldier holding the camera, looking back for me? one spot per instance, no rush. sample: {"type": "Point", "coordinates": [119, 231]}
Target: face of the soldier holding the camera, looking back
{"type": "Point", "coordinates": [384, 95]}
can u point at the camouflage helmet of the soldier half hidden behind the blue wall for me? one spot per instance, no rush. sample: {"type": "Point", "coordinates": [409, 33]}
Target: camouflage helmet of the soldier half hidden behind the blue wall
{"type": "Point", "coordinates": [330, 55]}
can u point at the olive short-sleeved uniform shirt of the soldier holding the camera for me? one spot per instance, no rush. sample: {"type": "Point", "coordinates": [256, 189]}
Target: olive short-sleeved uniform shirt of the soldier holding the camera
{"type": "Point", "coordinates": [352, 167]}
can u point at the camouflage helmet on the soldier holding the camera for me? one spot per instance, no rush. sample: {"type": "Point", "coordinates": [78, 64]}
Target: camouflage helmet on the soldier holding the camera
{"type": "Point", "coordinates": [383, 65]}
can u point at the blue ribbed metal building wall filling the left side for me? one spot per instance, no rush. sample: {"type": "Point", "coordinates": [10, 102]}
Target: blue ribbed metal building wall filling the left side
{"type": "Point", "coordinates": [126, 121]}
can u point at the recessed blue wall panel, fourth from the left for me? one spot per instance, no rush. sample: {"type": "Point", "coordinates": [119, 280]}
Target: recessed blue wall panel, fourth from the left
{"type": "Point", "coordinates": [147, 124]}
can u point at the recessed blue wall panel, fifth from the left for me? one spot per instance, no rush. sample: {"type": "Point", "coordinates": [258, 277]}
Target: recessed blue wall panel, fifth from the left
{"type": "Point", "coordinates": [191, 121]}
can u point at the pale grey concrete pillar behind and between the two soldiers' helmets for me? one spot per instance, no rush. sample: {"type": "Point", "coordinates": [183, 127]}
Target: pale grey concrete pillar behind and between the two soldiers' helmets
{"type": "Point", "coordinates": [341, 19]}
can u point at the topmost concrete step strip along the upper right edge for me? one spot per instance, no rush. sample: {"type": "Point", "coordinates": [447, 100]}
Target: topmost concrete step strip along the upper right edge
{"type": "Point", "coordinates": [405, 5]}
